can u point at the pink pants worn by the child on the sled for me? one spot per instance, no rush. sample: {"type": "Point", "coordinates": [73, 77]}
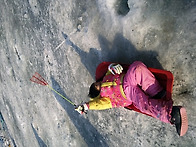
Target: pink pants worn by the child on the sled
{"type": "Point", "coordinates": [139, 86]}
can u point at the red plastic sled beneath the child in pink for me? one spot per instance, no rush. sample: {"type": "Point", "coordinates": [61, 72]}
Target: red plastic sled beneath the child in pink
{"type": "Point", "coordinates": [164, 77]}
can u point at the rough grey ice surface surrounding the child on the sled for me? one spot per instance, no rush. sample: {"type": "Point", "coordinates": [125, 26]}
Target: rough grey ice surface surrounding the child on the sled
{"type": "Point", "coordinates": [162, 34]}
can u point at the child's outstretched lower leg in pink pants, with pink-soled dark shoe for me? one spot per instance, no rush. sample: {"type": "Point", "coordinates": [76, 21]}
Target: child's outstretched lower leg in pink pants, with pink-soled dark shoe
{"type": "Point", "coordinates": [161, 109]}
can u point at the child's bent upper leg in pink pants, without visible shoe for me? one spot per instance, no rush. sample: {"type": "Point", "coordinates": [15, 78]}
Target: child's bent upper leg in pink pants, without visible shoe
{"type": "Point", "coordinates": [138, 74]}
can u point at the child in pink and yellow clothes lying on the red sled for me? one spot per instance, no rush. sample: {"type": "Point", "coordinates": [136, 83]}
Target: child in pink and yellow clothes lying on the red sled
{"type": "Point", "coordinates": [138, 87]}
